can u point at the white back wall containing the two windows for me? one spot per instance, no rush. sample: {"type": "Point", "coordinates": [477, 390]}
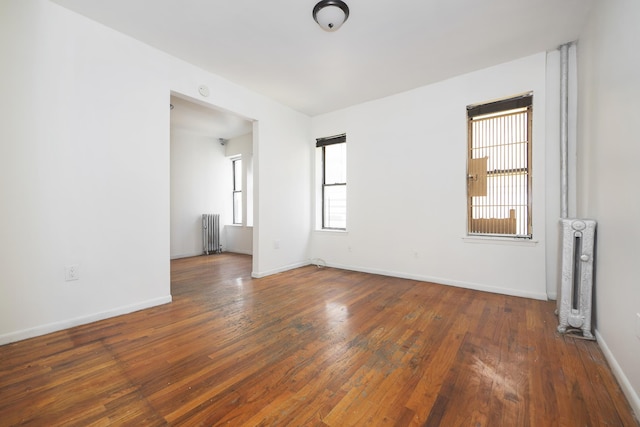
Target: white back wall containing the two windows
{"type": "Point", "coordinates": [406, 179]}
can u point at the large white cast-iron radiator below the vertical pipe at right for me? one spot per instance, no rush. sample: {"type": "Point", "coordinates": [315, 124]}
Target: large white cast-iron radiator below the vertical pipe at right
{"type": "Point", "coordinates": [576, 286]}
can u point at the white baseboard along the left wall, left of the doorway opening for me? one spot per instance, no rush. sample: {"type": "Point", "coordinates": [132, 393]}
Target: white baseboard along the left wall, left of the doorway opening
{"type": "Point", "coordinates": [70, 323]}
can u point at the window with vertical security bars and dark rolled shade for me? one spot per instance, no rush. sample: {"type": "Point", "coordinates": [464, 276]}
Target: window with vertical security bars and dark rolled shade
{"type": "Point", "coordinates": [499, 168]}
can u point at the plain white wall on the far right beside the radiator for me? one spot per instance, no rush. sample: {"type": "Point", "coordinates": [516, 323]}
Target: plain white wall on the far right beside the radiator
{"type": "Point", "coordinates": [608, 169]}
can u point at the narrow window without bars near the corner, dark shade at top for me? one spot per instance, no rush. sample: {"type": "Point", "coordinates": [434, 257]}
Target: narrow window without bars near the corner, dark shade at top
{"type": "Point", "coordinates": [334, 181]}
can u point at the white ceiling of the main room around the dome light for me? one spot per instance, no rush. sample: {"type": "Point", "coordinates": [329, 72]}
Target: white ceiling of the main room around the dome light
{"type": "Point", "coordinates": [274, 47]}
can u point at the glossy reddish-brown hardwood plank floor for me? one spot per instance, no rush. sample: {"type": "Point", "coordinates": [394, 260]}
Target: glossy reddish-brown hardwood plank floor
{"type": "Point", "coordinates": [312, 347]}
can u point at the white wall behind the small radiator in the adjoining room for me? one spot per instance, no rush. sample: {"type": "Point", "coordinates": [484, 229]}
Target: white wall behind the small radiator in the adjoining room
{"type": "Point", "coordinates": [201, 182]}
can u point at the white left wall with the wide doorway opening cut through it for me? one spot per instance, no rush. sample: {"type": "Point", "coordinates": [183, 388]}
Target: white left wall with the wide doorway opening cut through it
{"type": "Point", "coordinates": [84, 169]}
